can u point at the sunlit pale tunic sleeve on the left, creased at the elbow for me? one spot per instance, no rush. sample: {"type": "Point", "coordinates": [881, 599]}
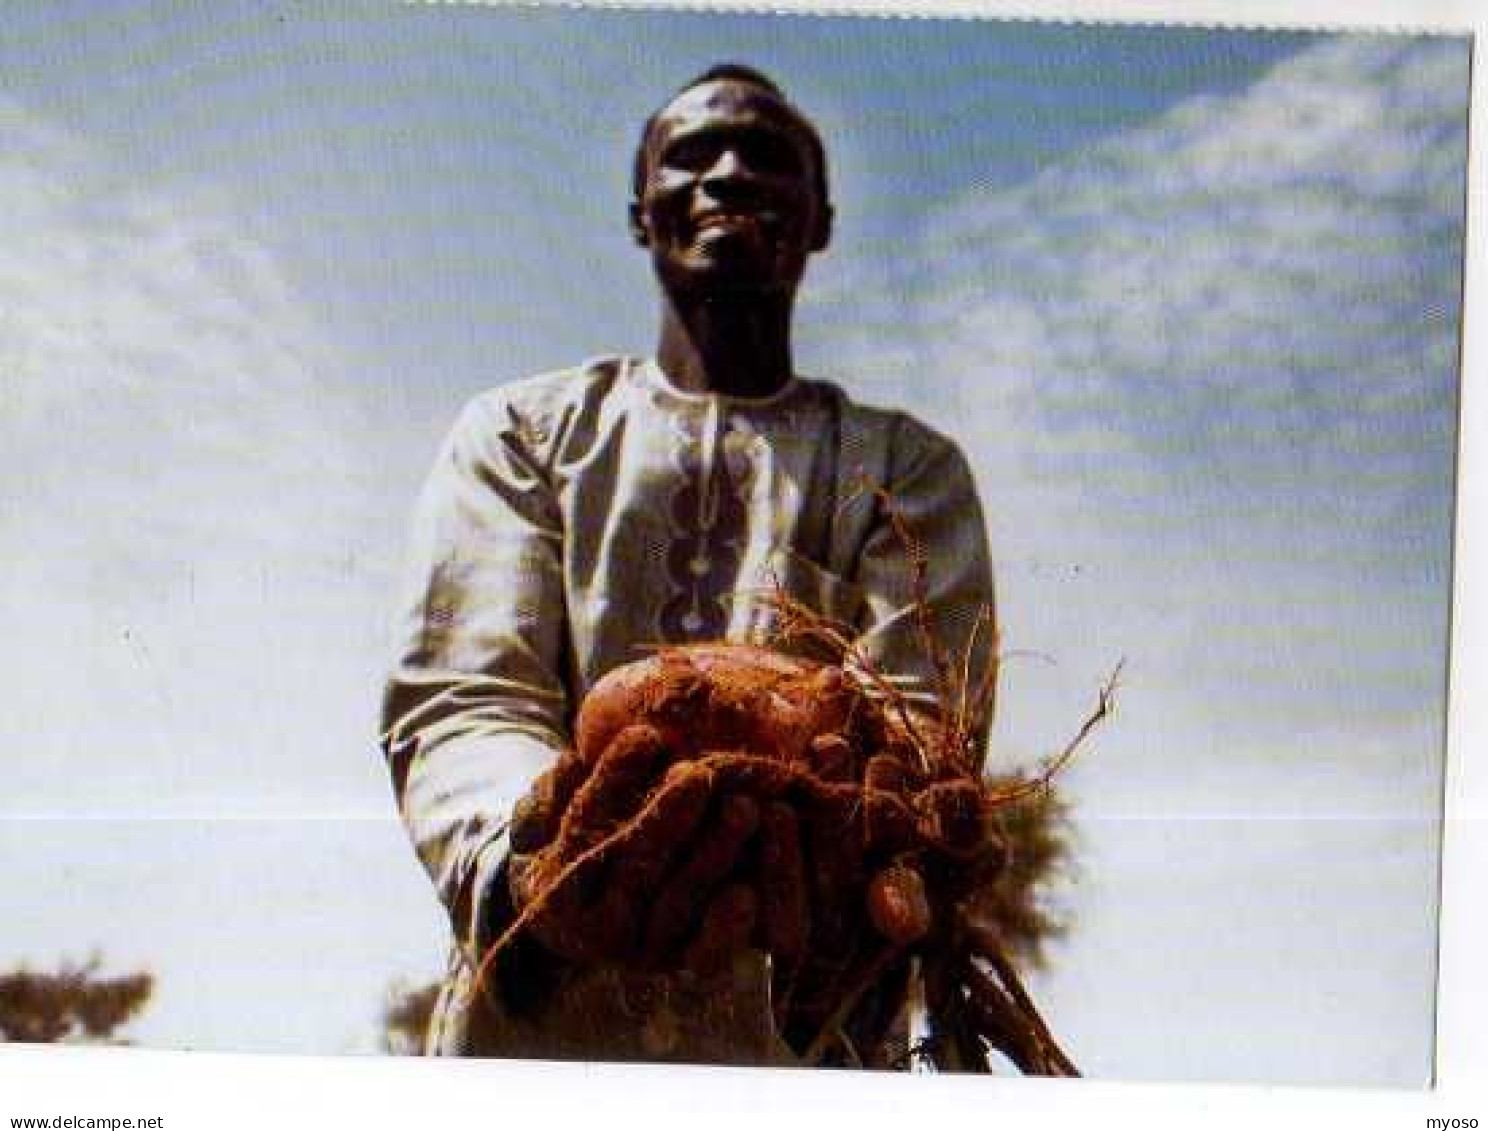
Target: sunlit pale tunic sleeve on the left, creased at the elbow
{"type": "Point", "coordinates": [477, 705]}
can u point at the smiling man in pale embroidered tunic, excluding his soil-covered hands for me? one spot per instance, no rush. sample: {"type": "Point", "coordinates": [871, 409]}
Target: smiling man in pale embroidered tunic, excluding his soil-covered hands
{"type": "Point", "coordinates": [577, 520]}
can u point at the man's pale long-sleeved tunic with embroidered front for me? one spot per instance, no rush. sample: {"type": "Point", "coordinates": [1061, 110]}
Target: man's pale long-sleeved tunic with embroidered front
{"type": "Point", "coordinates": [578, 520]}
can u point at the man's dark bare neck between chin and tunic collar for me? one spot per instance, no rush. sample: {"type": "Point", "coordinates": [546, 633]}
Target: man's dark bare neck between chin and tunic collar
{"type": "Point", "coordinates": [739, 347]}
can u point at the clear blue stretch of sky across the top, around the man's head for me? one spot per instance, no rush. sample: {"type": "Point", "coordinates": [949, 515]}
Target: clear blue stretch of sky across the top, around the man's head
{"type": "Point", "coordinates": [405, 121]}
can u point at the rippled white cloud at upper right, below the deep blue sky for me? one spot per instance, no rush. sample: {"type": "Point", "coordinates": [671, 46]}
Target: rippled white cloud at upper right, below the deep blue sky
{"type": "Point", "coordinates": [1261, 285]}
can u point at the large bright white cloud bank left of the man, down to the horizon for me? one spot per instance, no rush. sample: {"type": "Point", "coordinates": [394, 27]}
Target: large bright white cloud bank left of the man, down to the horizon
{"type": "Point", "coordinates": [197, 544]}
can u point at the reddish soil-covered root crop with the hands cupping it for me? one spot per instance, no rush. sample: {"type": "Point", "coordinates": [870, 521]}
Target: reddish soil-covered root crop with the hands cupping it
{"type": "Point", "coordinates": [725, 797]}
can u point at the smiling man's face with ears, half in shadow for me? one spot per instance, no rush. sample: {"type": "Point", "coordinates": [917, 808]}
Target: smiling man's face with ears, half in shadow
{"type": "Point", "coordinates": [730, 200]}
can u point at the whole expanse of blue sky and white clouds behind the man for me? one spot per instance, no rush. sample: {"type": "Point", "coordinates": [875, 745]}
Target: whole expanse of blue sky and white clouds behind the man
{"type": "Point", "coordinates": [1188, 298]}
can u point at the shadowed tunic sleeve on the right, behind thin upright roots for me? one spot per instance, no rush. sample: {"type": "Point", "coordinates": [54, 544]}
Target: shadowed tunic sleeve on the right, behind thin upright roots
{"type": "Point", "coordinates": [935, 496]}
